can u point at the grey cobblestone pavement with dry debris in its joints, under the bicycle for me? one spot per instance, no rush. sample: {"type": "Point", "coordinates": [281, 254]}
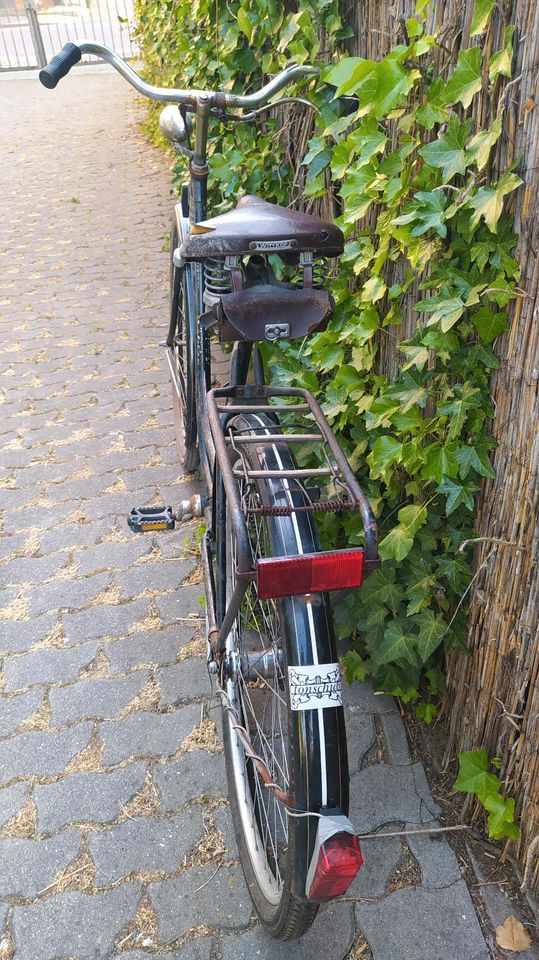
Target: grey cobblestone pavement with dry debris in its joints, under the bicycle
{"type": "Point", "coordinates": [115, 834]}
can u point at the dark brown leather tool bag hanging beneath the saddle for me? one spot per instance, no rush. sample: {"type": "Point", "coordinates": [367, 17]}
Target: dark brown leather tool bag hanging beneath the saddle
{"type": "Point", "coordinates": [268, 312]}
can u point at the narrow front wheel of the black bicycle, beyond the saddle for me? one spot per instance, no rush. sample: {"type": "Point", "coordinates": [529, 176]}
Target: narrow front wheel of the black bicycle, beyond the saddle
{"type": "Point", "coordinates": [183, 315]}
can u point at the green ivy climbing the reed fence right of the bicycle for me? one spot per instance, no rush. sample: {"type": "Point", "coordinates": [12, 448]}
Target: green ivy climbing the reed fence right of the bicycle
{"type": "Point", "coordinates": [429, 241]}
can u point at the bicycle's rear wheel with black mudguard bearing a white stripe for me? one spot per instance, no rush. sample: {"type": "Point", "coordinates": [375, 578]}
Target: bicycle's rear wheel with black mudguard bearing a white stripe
{"type": "Point", "coordinates": [275, 867]}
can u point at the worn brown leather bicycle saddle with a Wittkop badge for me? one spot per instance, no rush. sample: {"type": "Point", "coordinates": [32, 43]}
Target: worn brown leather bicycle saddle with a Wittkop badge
{"type": "Point", "coordinates": [256, 226]}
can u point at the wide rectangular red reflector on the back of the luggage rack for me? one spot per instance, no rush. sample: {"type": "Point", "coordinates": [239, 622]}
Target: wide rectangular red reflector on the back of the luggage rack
{"type": "Point", "coordinates": [309, 573]}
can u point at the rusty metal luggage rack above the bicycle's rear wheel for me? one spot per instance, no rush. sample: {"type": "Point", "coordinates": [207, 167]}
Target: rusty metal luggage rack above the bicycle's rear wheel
{"type": "Point", "coordinates": [251, 399]}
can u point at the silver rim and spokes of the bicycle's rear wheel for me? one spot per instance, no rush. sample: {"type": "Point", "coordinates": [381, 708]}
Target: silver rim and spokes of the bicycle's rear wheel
{"type": "Point", "coordinates": [262, 709]}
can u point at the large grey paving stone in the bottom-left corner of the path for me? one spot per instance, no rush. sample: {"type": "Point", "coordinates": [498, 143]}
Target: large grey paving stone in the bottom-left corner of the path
{"type": "Point", "coordinates": [78, 925]}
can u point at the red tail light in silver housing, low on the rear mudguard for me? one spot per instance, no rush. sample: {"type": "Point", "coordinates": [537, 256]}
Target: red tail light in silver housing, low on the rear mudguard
{"type": "Point", "coordinates": [335, 861]}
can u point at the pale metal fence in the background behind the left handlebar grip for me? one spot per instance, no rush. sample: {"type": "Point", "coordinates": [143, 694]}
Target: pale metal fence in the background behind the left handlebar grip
{"type": "Point", "coordinates": [31, 32]}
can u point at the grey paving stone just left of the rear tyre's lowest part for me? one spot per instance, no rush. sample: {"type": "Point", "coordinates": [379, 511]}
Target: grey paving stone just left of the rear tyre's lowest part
{"type": "Point", "coordinates": [183, 902]}
